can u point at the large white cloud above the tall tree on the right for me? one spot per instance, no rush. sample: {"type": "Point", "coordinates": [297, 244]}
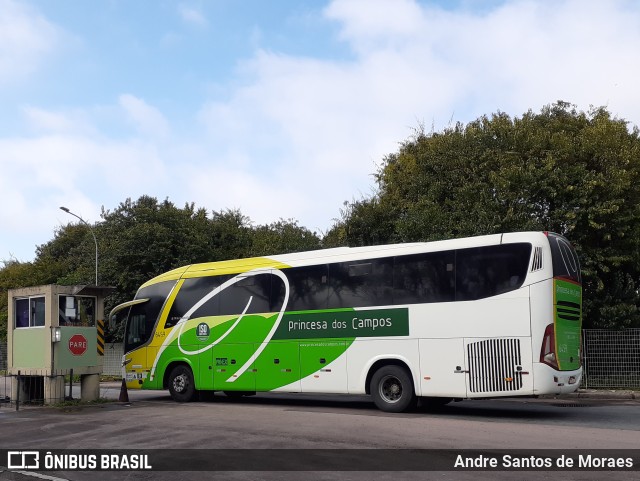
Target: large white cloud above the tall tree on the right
{"type": "Point", "coordinates": [517, 56]}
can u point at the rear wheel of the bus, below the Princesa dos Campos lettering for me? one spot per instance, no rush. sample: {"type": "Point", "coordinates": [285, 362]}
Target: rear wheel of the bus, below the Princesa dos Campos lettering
{"type": "Point", "coordinates": [392, 389]}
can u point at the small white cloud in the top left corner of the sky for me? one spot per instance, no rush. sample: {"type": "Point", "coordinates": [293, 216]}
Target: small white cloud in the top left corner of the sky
{"type": "Point", "coordinates": [26, 40]}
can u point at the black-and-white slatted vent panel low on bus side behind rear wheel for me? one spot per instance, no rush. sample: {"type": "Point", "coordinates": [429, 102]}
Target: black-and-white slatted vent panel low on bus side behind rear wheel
{"type": "Point", "coordinates": [494, 365]}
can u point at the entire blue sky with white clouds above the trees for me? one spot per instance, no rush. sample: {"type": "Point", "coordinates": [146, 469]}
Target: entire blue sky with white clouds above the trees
{"type": "Point", "coordinates": [281, 109]}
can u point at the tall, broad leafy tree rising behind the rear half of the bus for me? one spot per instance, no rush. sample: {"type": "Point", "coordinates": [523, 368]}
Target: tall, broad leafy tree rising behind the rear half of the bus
{"type": "Point", "coordinates": [570, 172]}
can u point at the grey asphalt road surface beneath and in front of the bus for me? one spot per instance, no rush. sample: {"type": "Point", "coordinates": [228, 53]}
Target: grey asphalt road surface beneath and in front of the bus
{"type": "Point", "coordinates": [292, 423]}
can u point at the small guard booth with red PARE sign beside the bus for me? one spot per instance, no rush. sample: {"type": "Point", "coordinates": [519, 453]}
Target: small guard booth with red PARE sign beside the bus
{"type": "Point", "coordinates": [55, 332]}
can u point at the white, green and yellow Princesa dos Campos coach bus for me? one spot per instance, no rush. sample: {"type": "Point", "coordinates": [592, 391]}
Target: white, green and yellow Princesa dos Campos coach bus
{"type": "Point", "coordinates": [480, 317]}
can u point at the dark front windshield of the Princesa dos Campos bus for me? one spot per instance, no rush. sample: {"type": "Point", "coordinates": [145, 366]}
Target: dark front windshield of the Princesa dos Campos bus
{"type": "Point", "coordinates": [142, 317]}
